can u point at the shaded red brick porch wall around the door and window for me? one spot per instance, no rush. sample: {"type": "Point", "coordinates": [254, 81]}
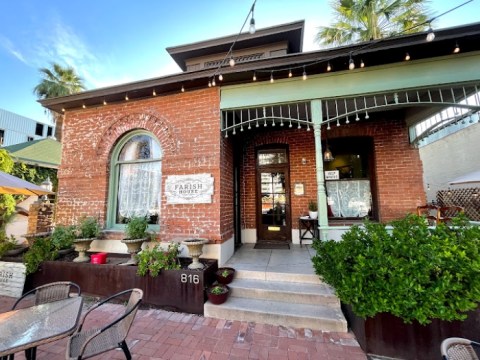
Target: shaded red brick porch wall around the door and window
{"type": "Point", "coordinates": [397, 167]}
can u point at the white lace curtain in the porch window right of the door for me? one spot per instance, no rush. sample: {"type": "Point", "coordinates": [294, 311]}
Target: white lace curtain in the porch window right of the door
{"type": "Point", "coordinates": [349, 198]}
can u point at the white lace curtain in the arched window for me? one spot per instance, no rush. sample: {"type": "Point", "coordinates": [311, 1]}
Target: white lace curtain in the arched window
{"type": "Point", "coordinates": [139, 189]}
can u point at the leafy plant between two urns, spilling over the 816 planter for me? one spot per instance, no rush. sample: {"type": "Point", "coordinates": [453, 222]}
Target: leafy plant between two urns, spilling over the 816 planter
{"type": "Point", "coordinates": [154, 260]}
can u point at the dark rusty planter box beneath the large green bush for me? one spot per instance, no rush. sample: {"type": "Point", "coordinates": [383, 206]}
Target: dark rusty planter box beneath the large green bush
{"type": "Point", "coordinates": [387, 335]}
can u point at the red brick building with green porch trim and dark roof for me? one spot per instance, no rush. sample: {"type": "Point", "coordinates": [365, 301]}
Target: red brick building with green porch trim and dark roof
{"type": "Point", "coordinates": [235, 154]}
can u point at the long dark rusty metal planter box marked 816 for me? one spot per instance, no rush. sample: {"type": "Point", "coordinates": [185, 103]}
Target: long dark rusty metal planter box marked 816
{"type": "Point", "coordinates": [175, 290]}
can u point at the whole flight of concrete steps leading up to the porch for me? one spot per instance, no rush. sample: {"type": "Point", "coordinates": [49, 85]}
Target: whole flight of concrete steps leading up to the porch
{"type": "Point", "coordinates": [291, 300]}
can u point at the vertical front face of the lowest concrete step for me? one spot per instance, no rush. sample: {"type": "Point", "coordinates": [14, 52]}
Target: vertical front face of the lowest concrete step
{"type": "Point", "coordinates": [274, 319]}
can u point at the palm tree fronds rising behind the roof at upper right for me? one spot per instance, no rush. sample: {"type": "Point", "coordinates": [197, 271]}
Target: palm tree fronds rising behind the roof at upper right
{"type": "Point", "coordinates": [363, 20]}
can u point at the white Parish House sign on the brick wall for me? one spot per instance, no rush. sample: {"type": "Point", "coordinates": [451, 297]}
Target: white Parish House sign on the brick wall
{"type": "Point", "coordinates": [189, 189]}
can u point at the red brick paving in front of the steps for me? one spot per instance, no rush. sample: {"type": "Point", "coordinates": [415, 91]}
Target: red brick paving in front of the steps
{"type": "Point", "coordinates": [159, 334]}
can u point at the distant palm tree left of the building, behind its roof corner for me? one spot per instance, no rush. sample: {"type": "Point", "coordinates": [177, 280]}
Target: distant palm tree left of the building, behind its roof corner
{"type": "Point", "coordinates": [58, 81]}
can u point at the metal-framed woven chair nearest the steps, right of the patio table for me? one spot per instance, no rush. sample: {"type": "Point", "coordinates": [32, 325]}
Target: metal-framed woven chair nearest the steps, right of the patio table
{"type": "Point", "coordinates": [84, 344]}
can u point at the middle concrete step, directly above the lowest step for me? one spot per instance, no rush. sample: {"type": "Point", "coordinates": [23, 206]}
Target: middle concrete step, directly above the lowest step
{"type": "Point", "coordinates": [290, 292]}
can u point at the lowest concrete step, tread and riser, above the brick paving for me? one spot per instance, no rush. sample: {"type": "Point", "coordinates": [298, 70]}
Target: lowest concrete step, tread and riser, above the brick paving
{"type": "Point", "coordinates": [315, 317]}
